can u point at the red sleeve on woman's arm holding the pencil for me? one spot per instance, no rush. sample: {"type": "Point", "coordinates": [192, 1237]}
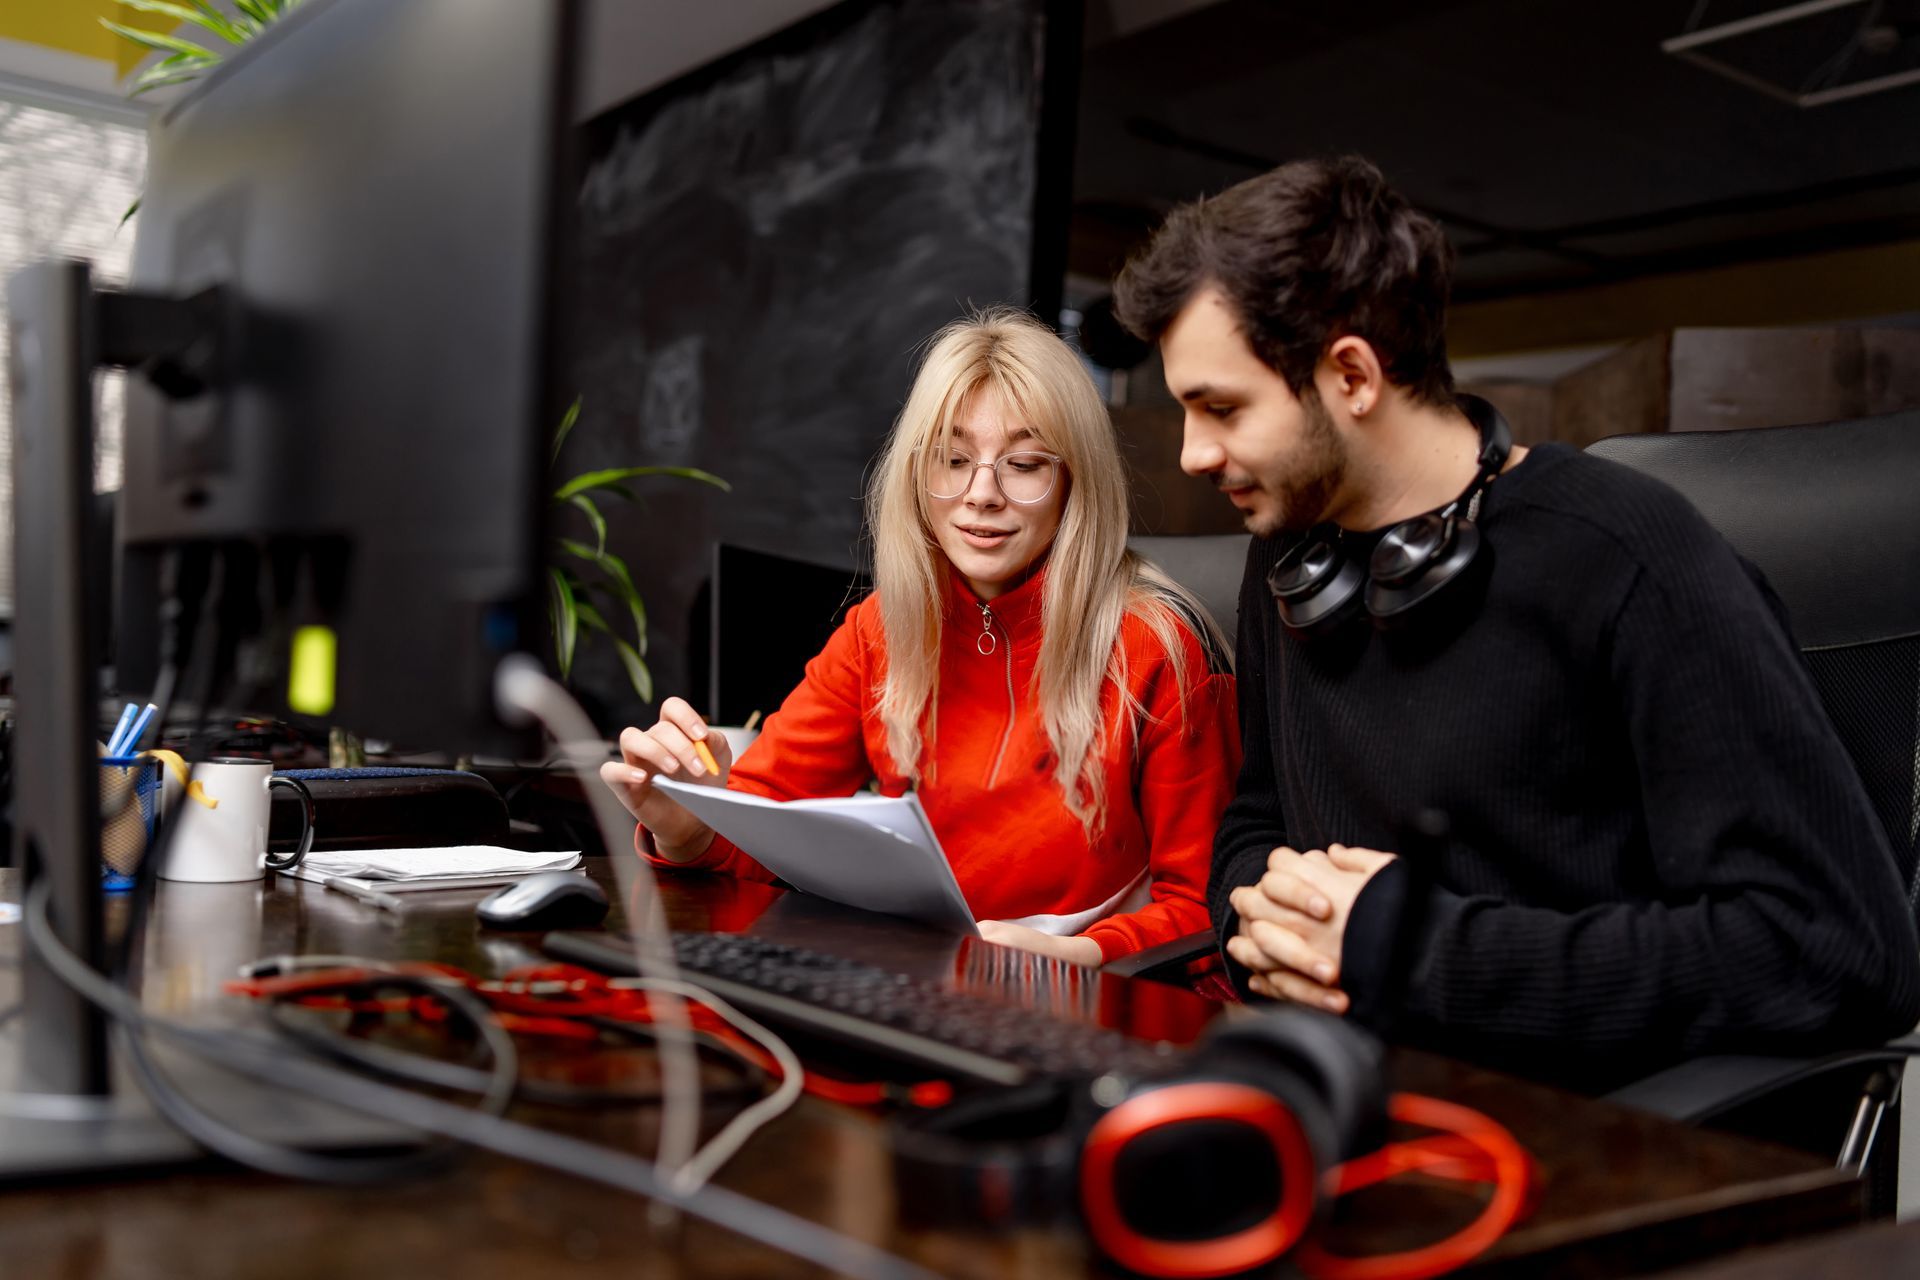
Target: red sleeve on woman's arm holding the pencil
{"type": "Point", "coordinates": [811, 747]}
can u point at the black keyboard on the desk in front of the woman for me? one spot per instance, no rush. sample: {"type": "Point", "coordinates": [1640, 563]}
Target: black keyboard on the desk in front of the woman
{"type": "Point", "coordinates": [955, 1033]}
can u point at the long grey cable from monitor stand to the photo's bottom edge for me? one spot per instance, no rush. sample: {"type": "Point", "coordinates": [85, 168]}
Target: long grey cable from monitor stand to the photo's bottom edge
{"type": "Point", "coordinates": [550, 1150]}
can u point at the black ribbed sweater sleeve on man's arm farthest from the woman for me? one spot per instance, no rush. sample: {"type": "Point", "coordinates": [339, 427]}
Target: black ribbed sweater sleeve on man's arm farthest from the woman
{"type": "Point", "coordinates": [1771, 918]}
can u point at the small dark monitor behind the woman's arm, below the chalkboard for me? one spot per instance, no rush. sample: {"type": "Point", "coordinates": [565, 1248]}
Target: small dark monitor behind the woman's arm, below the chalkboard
{"type": "Point", "coordinates": [767, 619]}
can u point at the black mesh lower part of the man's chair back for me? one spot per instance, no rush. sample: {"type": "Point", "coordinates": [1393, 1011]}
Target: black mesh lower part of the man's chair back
{"type": "Point", "coordinates": [1873, 698]}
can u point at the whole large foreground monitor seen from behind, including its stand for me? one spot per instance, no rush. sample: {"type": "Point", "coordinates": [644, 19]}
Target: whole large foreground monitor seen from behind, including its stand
{"type": "Point", "coordinates": [341, 327]}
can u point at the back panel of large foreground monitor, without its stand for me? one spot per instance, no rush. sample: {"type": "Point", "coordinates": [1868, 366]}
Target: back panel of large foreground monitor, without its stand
{"type": "Point", "coordinates": [375, 189]}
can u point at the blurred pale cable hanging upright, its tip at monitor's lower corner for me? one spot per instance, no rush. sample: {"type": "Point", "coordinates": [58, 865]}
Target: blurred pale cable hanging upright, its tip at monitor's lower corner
{"type": "Point", "coordinates": [525, 692]}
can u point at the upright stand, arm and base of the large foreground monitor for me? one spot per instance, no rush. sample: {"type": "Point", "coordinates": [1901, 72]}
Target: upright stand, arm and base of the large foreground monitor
{"type": "Point", "coordinates": [66, 1110]}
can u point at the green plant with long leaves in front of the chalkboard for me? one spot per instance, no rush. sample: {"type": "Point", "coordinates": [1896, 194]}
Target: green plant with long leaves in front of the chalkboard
{"type": "Point", "coordinates": [585, 575]}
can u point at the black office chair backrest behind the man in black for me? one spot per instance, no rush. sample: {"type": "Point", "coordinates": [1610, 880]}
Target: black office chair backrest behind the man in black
{"type": "Point", "coordinates": [1831, 513]}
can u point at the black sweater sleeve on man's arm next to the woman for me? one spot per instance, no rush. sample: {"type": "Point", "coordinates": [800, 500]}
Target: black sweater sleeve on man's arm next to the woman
{"type": "Point", "coordinates": [1255, 822]}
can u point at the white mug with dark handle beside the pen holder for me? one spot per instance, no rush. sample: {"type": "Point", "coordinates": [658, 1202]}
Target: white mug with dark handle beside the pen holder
{"type": "Point", "coordinates": [229, 841]}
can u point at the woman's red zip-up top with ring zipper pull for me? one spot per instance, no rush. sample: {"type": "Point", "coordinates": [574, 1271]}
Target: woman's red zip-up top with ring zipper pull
{"type": "Point", "coordinates": [990, 782]}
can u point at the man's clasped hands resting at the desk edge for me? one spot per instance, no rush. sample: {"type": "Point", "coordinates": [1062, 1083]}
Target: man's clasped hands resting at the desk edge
{"type": "Point", "coordinates": [1293, 922]}
